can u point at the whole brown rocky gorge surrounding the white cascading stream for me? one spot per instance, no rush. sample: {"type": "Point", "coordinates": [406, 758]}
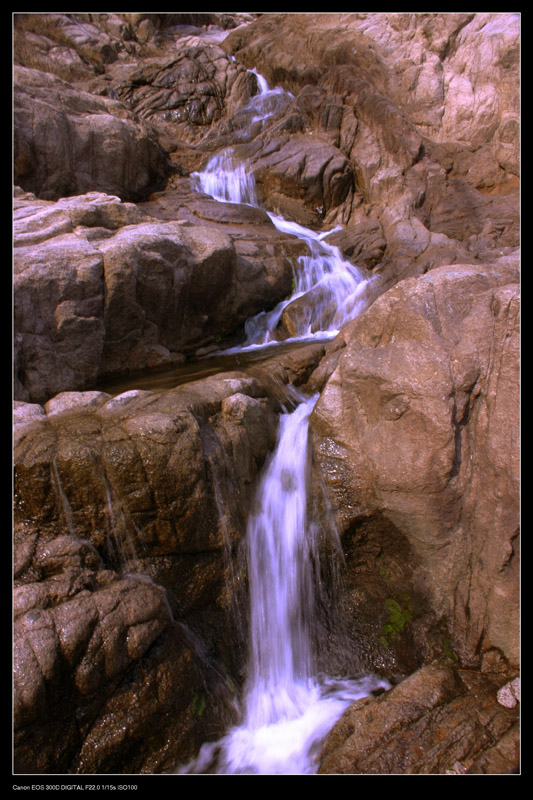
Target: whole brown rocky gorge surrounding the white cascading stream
{"type": "Point", "coordinates": [140, 440]}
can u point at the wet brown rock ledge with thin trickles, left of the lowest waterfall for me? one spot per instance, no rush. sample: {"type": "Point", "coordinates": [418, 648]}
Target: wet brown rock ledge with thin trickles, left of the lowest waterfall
{"type": "Point", "coordinates": [157, 483]}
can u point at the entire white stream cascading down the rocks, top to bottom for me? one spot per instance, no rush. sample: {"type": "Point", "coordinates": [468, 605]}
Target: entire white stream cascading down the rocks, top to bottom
{"type": "Point", "coordinates": [287, 709]}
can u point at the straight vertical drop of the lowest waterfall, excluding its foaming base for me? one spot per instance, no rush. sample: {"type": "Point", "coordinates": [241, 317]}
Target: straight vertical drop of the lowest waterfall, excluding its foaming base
{"type": "Point", "coordinates": [280, 575]}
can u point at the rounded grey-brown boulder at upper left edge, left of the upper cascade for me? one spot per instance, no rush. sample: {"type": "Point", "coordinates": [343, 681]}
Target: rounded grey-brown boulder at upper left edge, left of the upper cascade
{"type": "Point", "coordinates": [68, 142]}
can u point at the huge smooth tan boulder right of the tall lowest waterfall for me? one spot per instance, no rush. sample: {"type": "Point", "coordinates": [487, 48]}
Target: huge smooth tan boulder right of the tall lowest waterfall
{"type": "Point", "coordinates": [419, 424]}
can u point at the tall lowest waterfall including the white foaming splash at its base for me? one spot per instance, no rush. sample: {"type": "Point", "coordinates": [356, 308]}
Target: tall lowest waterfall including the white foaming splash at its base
{"type": "Point", "coordinates": [288, 710]}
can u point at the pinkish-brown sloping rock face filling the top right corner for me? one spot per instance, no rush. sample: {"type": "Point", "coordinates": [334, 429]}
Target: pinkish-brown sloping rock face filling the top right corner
{"type": "Point", "coordinates": [425, 109]}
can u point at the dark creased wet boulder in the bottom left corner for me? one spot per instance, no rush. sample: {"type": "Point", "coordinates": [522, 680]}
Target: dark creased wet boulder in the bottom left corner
{"type": "Point", "coordinates": [102, 661]}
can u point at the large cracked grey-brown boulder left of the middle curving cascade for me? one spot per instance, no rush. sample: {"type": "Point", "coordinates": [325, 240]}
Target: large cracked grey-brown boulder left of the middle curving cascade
{"type": "Point", "coordinates": [102, 288]}
